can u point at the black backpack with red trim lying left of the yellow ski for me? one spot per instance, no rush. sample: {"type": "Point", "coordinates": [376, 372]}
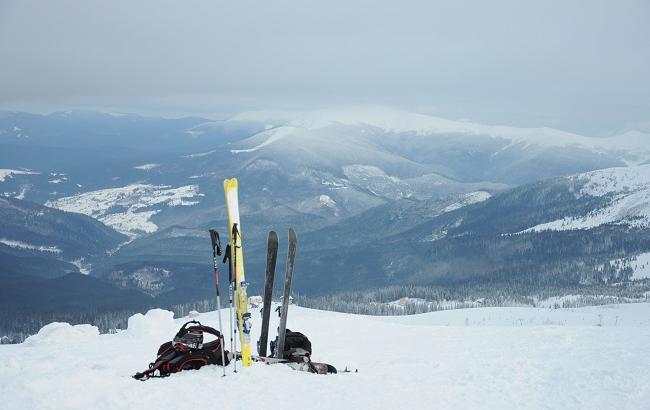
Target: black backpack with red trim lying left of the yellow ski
{"type": "Point", "coordinates": [186, 352]}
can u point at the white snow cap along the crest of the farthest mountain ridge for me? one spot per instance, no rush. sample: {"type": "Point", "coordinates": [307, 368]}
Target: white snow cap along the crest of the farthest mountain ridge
{"type": "Point", "coordinates": [400, 121]}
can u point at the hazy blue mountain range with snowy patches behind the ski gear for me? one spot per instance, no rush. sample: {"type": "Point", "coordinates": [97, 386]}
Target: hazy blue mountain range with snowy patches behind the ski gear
{"type": "Point", "coordinates": [378, 196]}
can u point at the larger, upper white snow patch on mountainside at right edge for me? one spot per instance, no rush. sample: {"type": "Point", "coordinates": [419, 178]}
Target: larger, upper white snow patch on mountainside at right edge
{"type": "Point", "coordinates": [629, 189]}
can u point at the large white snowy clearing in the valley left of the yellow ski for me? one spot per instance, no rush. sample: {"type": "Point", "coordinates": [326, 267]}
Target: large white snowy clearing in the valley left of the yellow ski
{"type": "Point", "coordinates": [125, 208]}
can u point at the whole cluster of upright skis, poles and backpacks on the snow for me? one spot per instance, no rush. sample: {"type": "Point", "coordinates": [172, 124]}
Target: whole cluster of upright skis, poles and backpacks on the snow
{"type": "Point", "coordinates": [187, 350]}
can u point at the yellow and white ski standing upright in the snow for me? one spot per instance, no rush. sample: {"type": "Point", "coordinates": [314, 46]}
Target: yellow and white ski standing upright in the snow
{"type": "Point", "coordinates": [237, 260]}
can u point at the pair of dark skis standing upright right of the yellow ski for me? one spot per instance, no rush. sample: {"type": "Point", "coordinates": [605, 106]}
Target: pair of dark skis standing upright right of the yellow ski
{"type": "Point", "coordinates": [271, 258]}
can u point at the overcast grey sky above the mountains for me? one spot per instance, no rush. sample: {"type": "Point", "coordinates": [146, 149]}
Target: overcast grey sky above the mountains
{"type": "Point", "coordinates": [578, 65]}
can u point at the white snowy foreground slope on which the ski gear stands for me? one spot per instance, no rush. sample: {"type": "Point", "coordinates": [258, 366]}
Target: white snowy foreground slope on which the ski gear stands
{"type": "Point", "coordinates": [500, 358]}
